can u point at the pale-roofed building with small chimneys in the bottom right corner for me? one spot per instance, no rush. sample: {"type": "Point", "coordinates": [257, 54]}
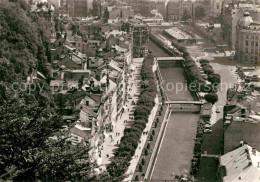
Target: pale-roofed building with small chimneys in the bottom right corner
{"type": "Point", "coordinates": [240, 164]}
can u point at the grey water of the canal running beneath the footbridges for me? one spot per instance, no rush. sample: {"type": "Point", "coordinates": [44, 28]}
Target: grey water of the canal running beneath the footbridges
{"type": "Point", "coordinates": [176, 149]}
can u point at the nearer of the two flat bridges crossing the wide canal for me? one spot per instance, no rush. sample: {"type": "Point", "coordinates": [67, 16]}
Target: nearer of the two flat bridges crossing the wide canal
{"type": "Point", "coordinates": [185, 106]}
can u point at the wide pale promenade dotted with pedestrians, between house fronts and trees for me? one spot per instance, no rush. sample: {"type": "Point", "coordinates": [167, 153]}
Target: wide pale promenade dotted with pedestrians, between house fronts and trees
{"type": "Point", "coordinates": [113, 138]}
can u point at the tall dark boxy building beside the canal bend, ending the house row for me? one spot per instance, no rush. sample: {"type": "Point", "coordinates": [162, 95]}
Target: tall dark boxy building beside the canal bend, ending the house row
{"type": "Point", "coordinates": [140, 36]}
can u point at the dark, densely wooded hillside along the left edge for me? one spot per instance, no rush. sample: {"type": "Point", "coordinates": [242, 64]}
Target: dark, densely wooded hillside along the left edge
{"type": "Point", "coordinates": [28, 120]}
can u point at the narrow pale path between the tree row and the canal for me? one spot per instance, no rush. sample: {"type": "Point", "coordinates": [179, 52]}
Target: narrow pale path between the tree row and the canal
{"type": "Point", "coordinates": [138, 151]}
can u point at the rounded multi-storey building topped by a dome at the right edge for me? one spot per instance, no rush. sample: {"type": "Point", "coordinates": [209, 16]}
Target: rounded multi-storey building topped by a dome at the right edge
{"type": "Point", "coordinates": [248, 40]}
